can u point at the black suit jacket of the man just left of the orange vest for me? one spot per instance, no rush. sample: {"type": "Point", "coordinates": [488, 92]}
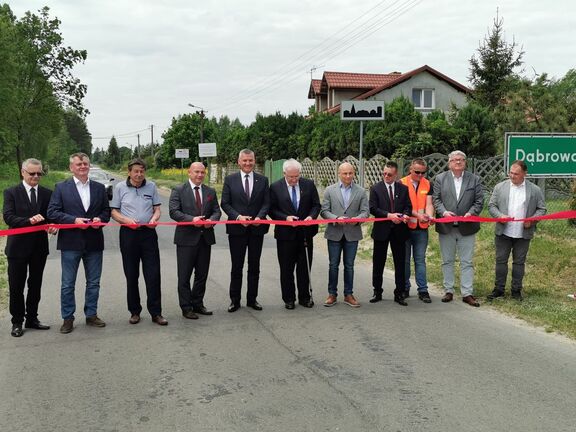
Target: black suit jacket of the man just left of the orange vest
{"type": "Point", "coordinates": [380, 207]}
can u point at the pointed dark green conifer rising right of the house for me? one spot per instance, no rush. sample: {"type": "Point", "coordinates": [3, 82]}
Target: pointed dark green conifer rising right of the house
{"type": "Point", "coordinates": [493, 70]}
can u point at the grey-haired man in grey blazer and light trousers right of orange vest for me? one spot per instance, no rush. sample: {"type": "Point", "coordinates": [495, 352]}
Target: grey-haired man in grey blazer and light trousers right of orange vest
{"type": "Point", "coordinates": [458, 192]}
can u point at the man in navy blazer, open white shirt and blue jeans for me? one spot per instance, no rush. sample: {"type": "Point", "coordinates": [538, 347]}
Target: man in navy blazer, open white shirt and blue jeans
{"type": "Point", "coordinates": [82, 202]}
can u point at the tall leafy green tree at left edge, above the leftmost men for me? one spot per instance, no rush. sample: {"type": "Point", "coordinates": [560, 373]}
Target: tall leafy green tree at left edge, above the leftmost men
{"type": "Point", "coordinates": [37, 82]}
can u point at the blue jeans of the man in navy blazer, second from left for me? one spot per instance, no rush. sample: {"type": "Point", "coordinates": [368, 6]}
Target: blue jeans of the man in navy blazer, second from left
{"type": "Point", "coordinates": [70, 261]}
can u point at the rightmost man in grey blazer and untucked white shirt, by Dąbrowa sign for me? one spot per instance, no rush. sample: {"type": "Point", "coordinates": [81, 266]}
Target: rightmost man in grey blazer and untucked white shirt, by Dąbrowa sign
{"type": "Point", "coordinates": [514, 198]}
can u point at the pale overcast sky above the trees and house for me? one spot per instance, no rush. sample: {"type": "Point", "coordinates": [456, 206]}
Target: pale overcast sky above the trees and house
{"type": "Point", "coordinates": [148, 59]}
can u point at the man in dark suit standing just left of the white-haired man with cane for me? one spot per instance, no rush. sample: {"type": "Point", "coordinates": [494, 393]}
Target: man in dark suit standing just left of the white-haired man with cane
{"type": "Point", "coordinates": [245, 197]}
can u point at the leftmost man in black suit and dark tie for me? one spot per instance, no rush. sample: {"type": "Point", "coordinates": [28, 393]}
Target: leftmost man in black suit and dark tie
{"type": "Point", "coordinates": [26, 205]}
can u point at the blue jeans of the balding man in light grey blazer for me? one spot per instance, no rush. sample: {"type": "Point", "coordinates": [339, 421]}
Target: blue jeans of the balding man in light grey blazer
{"type": "Point", "coordinates": [335, 249]}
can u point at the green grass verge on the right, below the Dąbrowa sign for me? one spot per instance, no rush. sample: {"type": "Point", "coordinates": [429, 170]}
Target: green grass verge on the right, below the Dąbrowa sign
{"type": "Point", "coordinates": [550, 273]}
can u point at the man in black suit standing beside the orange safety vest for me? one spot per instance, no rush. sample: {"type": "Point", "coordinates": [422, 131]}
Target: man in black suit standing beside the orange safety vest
{"type": "Point", "coordinates": [390, 199]}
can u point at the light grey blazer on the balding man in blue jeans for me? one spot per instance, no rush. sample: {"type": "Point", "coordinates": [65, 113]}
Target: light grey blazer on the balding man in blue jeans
{"type": "Point", "coordinates": [333, 206]}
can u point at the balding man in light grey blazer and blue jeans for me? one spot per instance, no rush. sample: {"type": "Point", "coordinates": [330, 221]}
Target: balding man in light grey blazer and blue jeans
{"type": "Point", "coordinates": [343, 200]}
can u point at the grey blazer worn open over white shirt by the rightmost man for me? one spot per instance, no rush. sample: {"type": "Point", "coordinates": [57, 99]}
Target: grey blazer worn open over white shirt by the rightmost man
{"type": "Point", "coordinates": [534, 205]}
